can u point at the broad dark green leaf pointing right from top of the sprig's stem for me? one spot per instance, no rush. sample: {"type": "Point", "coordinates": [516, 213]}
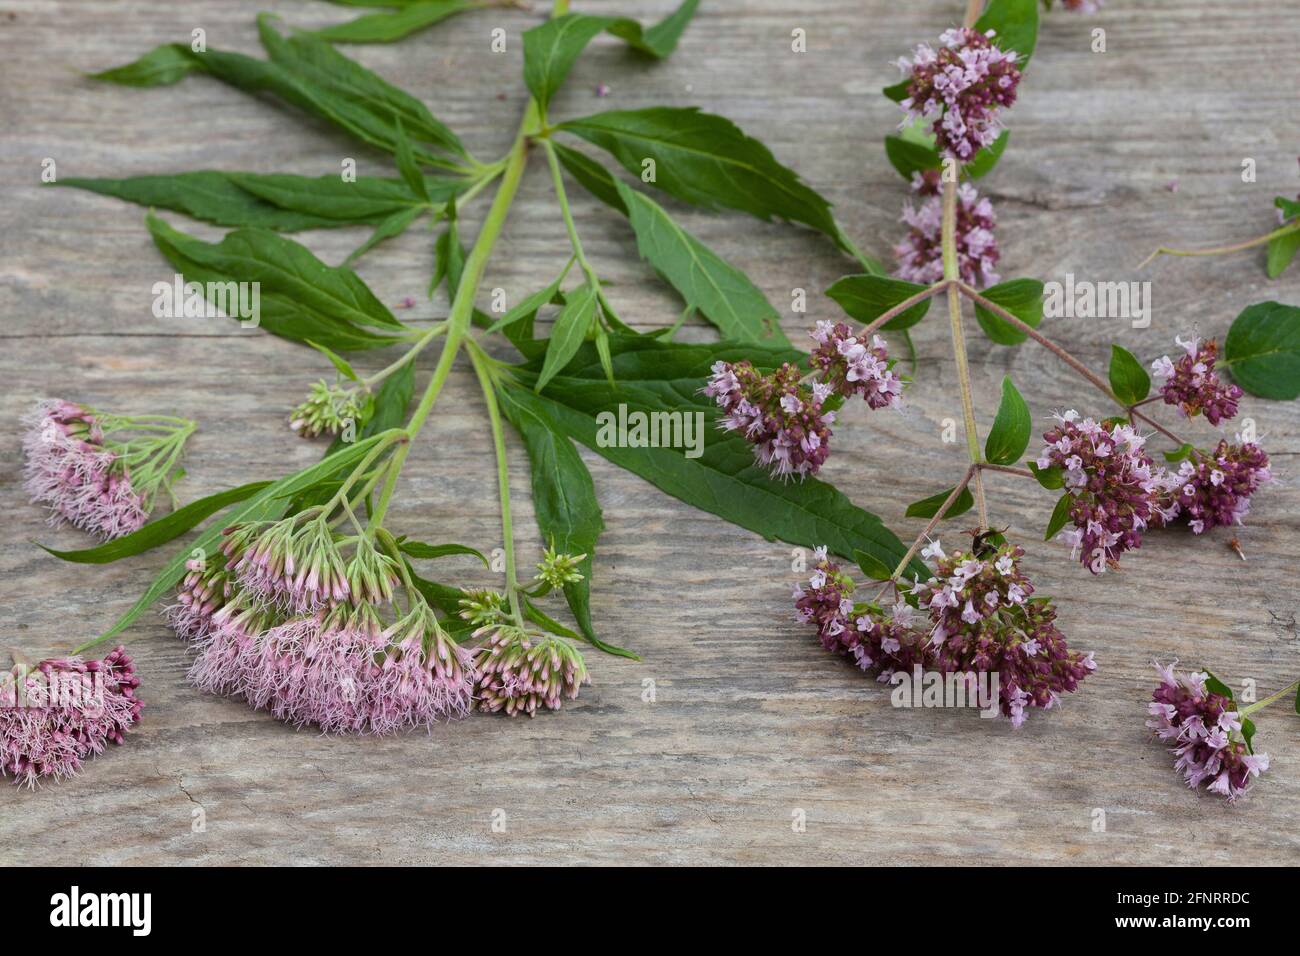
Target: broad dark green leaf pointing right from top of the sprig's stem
{"type": "Point", "coordinates": [705, 161]}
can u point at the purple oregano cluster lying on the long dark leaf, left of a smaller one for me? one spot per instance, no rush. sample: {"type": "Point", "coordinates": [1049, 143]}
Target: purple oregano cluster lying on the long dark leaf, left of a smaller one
{"type": "Point", "coordinates": [779, 416]}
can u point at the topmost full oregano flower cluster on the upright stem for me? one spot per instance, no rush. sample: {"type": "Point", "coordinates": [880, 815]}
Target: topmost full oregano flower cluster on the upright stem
{"type": "Point", "coordinates": [963, 86]}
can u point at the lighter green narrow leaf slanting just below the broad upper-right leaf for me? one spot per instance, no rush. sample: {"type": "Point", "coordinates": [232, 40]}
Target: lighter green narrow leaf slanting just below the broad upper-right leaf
{"type": "Point", "coordinates": [722, 293]}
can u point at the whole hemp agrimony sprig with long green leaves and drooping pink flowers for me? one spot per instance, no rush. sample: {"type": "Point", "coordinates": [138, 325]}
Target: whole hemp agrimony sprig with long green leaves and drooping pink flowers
{"type": "Point", "coordinates": [301, 599]}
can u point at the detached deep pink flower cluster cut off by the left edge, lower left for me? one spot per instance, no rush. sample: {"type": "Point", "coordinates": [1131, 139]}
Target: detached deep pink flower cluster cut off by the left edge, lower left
{"type": "Point", "coordinates": [64, 713]}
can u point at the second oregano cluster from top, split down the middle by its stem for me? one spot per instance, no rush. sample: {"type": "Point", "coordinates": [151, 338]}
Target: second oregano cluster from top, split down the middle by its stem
{"type": "Point", "coordinates": [921, 254]}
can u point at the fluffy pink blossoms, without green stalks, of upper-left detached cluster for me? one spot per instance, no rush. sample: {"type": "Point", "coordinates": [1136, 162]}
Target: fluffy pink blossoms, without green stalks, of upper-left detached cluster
{"type": "Point", "coordinates": [72, 471]}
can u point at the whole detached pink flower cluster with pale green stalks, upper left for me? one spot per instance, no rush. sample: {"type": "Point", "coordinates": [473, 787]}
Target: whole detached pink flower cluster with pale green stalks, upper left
{"type": "Point", "coordinates": [99, 473]}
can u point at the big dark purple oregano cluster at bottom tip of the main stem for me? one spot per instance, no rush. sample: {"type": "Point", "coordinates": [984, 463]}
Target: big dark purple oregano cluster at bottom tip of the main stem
{"type": "Point", "coordinates": [985, 622]}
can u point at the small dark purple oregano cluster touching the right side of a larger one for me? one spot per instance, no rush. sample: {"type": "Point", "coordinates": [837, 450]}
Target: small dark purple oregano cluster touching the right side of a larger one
{"type": "Point", "coordinates": [1215, 488]}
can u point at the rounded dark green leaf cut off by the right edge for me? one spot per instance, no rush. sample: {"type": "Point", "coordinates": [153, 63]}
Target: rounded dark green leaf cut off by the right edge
{"type": "Point", "coordinates": [1263, 351]}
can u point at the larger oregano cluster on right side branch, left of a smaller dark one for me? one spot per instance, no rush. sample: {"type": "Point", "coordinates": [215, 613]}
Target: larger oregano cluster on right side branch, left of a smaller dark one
{"type": "Point", "coordinates": [1119, 491]}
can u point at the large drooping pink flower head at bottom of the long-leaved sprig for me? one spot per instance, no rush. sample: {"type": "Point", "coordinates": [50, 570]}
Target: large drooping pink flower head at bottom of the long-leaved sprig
{"type": "Point", "coordinates": [294, 624]}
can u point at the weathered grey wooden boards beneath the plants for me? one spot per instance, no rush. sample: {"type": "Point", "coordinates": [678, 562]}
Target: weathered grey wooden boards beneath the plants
{"type": "Point", "coordinates": [752, 720]}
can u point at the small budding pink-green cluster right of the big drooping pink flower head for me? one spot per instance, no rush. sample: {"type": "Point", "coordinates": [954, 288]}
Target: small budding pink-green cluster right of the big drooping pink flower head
{"type": "Point", "coordinates": [522, 672]}
